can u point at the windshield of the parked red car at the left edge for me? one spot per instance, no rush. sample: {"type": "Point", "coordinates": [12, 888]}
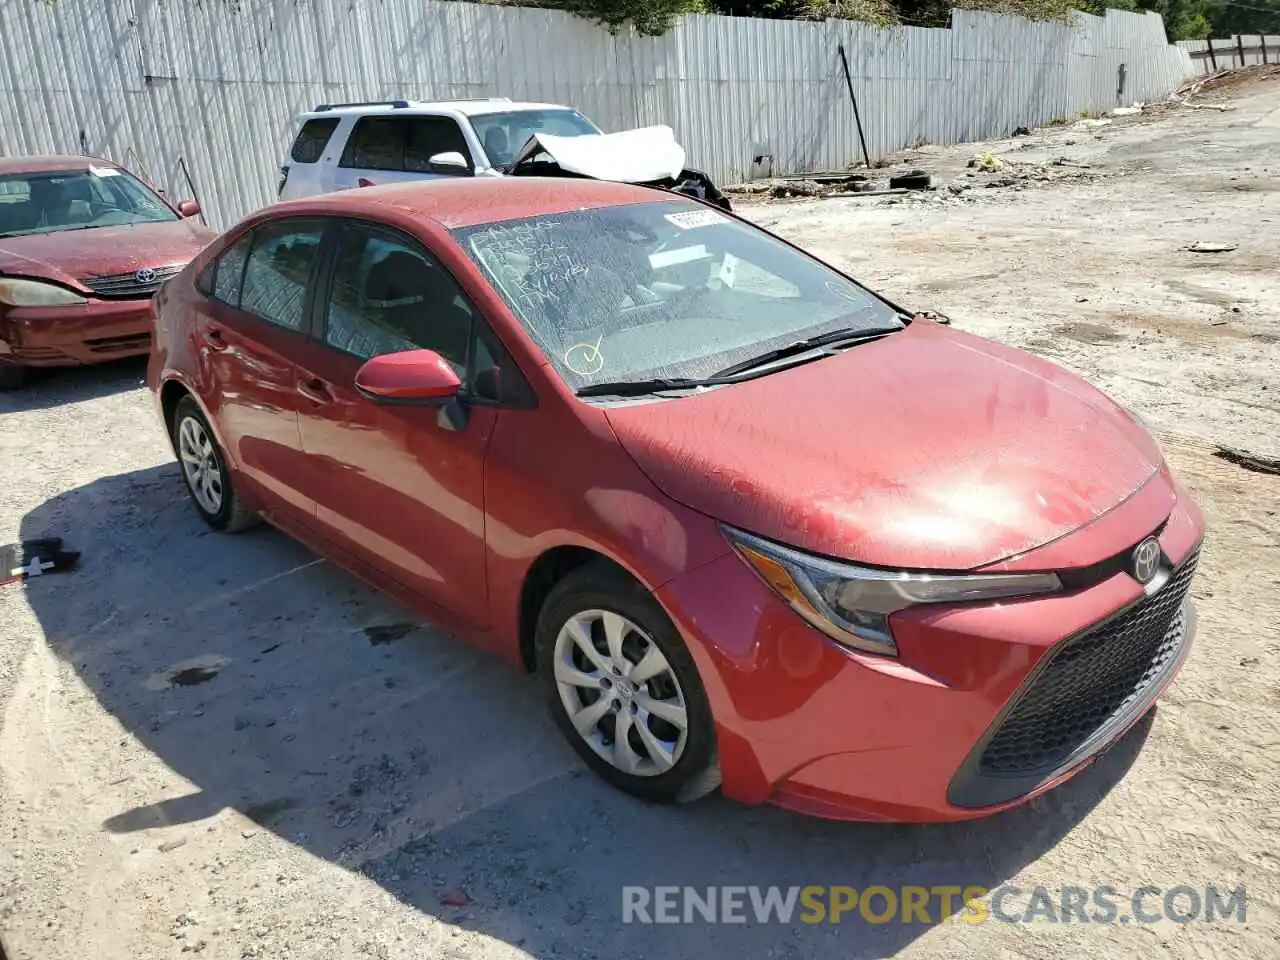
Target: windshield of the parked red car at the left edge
{"type": "Point", "coordinates": [76, 200]}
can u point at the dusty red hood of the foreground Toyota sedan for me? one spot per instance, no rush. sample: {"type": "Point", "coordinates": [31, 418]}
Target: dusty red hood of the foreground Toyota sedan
{"type": "Point", "coordinates": [929, 449]}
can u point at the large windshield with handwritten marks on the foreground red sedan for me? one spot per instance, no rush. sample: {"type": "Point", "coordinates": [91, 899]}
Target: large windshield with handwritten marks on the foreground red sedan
{"type": "Point", "coordinates": [664, 291]}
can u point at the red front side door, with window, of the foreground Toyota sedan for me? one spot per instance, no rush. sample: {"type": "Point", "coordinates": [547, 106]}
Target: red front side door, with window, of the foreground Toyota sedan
{"type": "Point", "coordinates": [400, 487]}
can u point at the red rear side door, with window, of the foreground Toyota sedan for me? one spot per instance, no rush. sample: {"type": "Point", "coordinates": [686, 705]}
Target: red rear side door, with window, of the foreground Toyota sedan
{"type": "Point", "coordinates": [250, 327]}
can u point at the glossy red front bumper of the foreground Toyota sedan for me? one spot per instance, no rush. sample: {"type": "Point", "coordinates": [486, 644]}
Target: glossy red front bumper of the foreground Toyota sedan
{"type": "Point", "coordinates": [808, 725]}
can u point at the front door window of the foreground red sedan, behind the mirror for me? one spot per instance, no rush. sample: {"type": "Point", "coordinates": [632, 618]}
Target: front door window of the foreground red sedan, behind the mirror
{"type": "Point", "coordinates": [391, 296]}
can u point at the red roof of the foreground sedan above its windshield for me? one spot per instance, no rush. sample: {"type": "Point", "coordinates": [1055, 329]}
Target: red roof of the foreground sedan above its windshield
{"type": "Point", "coordinates": [467, 203]}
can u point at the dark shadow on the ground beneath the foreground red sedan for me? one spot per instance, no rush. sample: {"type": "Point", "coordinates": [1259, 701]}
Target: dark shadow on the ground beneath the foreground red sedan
{"type": "Point", "coordinates": [289, 692]}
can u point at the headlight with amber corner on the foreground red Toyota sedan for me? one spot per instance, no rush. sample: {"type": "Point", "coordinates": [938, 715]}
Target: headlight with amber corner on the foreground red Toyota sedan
{"type": "Point", "coordinates": [853, 605]}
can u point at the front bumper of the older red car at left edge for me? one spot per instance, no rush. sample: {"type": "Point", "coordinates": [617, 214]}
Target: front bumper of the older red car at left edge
{"type": "Point", "coordinates": [72, 336]}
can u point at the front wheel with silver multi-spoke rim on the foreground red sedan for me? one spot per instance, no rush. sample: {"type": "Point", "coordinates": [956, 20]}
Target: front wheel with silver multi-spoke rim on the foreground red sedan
{"type": "Point", "coordinates": [595, 606]}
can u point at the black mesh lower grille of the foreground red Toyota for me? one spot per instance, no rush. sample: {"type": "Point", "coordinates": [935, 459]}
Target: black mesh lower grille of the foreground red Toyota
{"type": "Point", "coordinates": [1090, 680]}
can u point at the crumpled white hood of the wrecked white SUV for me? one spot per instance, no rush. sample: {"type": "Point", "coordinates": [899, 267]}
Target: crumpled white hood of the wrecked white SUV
{"type": "Point", "coordinates": [643, 156]}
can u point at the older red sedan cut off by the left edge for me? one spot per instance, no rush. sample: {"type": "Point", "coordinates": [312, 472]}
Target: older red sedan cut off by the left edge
{"type": "Point", "coordinates": [84, 246]}
